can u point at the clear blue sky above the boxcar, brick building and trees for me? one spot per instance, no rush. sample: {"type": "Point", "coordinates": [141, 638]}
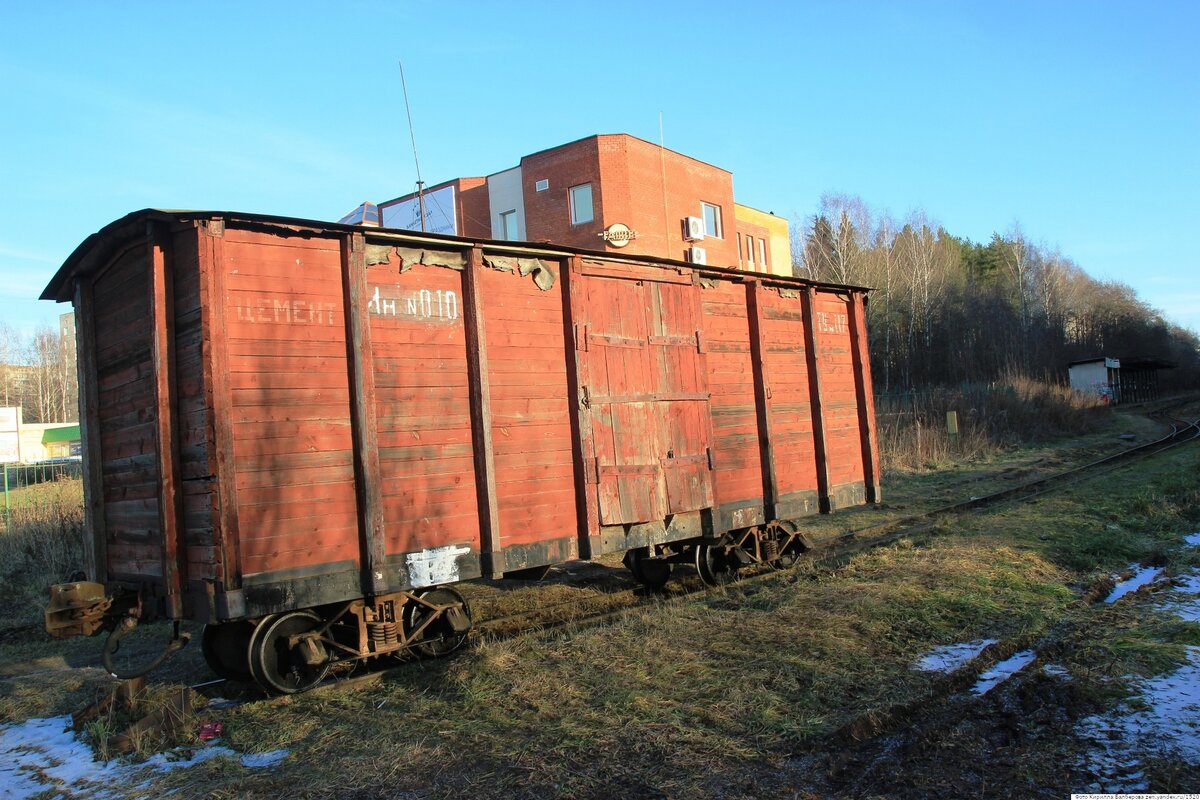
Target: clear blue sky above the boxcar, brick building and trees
{"type": "Point", "coordinates": [1078, 121]}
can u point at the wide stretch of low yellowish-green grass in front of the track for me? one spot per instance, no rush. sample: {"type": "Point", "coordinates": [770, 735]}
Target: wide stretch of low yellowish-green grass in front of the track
{"type": "Point", "coordinates": [715, 695]}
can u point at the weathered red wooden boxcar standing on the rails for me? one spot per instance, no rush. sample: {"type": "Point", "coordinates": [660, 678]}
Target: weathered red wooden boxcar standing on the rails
{"type": "Point", "coordinates": [283, 416]}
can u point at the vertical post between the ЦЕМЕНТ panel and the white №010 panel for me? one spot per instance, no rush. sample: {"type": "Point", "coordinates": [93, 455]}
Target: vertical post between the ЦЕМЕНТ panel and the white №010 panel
{"type": "Point", "coordinates": [361, 362]}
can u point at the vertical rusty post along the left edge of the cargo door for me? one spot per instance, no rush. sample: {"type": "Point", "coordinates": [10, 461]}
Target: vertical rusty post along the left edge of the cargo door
{"type": "Point", "coordinates": [587, 480]}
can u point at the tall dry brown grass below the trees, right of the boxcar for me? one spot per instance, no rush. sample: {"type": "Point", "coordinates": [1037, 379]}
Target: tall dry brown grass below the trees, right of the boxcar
{"type": "Point", "coordinates": [1017, 411]}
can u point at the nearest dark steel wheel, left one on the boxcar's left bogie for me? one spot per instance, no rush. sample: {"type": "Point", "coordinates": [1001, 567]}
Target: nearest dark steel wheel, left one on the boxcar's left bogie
{"type": "Point", "coordinates": [285, 667]}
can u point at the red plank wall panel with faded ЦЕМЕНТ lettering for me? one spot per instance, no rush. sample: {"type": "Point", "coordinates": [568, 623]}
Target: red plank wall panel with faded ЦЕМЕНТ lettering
{"type": "Point", "coordinates": [289, 378]}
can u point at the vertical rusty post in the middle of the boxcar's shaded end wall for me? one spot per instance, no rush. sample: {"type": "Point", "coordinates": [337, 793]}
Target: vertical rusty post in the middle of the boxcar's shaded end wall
{"type": "Point", "coordinates": [171, 501]}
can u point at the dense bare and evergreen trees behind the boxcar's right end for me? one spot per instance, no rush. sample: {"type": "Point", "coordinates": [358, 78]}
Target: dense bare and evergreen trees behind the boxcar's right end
{"type": "Point", "coordinates": [946, 311]}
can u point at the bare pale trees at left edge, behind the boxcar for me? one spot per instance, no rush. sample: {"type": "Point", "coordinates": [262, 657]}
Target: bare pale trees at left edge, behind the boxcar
{"type": "Point", "coordinates": [38, 375]}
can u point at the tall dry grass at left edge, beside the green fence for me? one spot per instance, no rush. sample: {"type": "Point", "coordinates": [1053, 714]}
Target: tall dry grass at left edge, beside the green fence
{"type": "Point", "coordinates": [41, 545]}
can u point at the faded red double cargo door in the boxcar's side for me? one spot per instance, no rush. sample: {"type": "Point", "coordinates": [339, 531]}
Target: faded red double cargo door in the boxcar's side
{"type": "Point", "coordinates": [646, 399]}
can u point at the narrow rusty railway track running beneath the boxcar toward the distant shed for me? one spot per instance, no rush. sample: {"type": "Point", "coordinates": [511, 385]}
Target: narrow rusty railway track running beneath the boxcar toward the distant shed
{"type": "Point", "coordinates": [829, 556]}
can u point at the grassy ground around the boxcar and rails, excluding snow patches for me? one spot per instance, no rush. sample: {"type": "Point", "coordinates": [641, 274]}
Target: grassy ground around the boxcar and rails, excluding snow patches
{"type": "Point", "coordinates": [778, 687]}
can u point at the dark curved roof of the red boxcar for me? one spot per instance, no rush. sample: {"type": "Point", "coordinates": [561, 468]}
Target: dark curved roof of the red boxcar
{"type": "Point", "coordinates": [98, 249]}
